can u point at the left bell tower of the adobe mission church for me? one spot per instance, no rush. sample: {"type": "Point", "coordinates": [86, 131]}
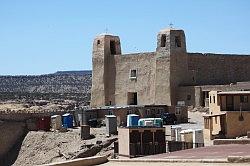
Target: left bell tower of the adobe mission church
{"type": "Point", "coordinates": [105, 47]}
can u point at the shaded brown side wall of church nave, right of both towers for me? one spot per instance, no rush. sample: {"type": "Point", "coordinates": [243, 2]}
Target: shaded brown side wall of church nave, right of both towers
{"type": "Point", "coordinates": [219, 68]}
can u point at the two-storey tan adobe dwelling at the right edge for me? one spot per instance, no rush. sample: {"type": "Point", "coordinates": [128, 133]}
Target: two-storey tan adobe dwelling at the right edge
{"type": "Point", "coordinates": [229, 114]}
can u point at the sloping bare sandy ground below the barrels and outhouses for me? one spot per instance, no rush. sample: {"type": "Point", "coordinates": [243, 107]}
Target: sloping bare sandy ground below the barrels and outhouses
{"type": "Point", "coordinates": [47, 147]}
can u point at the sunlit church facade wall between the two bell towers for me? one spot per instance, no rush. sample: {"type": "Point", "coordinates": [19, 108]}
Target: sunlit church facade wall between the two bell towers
{"type": "Point", "coordinates": [144, 63]}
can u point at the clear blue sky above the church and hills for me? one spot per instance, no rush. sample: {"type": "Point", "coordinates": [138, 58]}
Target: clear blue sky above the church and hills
{"type": "Point", "coordinates": [44, 36]}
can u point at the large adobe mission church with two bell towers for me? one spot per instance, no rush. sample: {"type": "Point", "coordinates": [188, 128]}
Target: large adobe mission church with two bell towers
{"type": "Point", "coordinates": [164, 77]}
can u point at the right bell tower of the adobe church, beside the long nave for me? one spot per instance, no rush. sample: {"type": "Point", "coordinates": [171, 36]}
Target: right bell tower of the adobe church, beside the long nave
{"type": "Point", "coordinates": [171, 65]}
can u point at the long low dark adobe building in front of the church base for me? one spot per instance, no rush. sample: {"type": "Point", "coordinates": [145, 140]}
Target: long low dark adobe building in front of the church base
{"type": "Point", "coordinates": [144, 111]}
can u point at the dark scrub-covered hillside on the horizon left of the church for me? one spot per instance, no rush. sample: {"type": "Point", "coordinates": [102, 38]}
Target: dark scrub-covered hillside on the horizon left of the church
{"type": "Point", "coordinates": [59, 82]}
